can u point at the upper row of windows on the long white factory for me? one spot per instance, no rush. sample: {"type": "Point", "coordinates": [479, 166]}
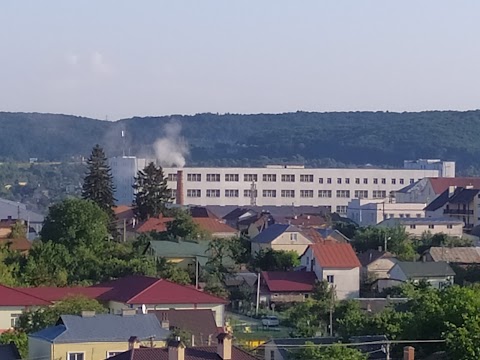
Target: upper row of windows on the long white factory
{"type": "Point", "coordinates": [308, 178]}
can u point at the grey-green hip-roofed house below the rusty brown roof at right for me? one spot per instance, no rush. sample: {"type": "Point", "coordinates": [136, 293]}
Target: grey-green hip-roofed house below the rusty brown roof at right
{"type": "Point", "coordinates": [437, 274]}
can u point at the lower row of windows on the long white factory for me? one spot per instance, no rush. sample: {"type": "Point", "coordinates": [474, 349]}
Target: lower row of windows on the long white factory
{"type": "Point", "coordinates": [377, 194]}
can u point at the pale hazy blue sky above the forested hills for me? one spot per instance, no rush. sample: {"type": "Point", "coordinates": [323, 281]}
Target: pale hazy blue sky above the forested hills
{"type": "Point", "coordinates": [125, 58]}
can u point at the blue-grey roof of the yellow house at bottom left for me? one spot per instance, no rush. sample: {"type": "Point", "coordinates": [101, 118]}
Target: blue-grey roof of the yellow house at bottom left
{"type": "Point", "coordinates": [103, 328]}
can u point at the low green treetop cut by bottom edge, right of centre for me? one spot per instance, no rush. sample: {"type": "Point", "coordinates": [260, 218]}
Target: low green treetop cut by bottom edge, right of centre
{"type": "Point", "coordinates": [332, 352]}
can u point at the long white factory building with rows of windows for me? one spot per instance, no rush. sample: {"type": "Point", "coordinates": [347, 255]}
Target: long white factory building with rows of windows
{"type": "Point", "coordinates": [273, 185]}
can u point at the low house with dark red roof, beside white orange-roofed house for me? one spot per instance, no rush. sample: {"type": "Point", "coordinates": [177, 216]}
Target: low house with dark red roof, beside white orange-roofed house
{"type": "Point", "coordinates": [286, 286]}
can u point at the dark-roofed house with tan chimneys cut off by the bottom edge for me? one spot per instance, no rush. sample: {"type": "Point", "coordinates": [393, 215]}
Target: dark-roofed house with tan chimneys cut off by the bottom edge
{"type": "Point", "coordinates": [176, 350]}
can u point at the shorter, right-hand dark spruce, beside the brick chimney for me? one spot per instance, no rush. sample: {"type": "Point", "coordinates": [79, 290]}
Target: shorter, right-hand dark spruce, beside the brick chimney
{"type": "Point", "coordinates": [151, 192]}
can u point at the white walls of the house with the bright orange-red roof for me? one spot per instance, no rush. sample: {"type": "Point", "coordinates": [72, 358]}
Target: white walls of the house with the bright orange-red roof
{"type": "Point", "coordinates": [346, 281]}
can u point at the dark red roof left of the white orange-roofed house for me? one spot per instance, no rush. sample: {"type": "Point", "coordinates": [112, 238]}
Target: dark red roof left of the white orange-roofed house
{"type": "Point", "coordinates": [289, 281]}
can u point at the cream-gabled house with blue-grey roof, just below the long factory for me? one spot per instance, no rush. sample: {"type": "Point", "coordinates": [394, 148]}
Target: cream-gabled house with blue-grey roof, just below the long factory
{"type": "Point", "coordinates": [281, 237]}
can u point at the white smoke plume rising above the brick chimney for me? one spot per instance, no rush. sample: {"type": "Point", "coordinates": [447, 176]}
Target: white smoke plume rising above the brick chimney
{"type": "Point", "coordinates": [172, 148]}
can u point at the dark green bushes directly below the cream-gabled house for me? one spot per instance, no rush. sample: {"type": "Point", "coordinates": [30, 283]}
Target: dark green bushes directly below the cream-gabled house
{"type": "Point", "coordinates": [273, 260]}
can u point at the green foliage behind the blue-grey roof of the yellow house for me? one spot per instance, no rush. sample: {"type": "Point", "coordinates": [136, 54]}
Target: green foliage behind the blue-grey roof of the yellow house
{"type": "Point", "coordinates": [34, 320]}
